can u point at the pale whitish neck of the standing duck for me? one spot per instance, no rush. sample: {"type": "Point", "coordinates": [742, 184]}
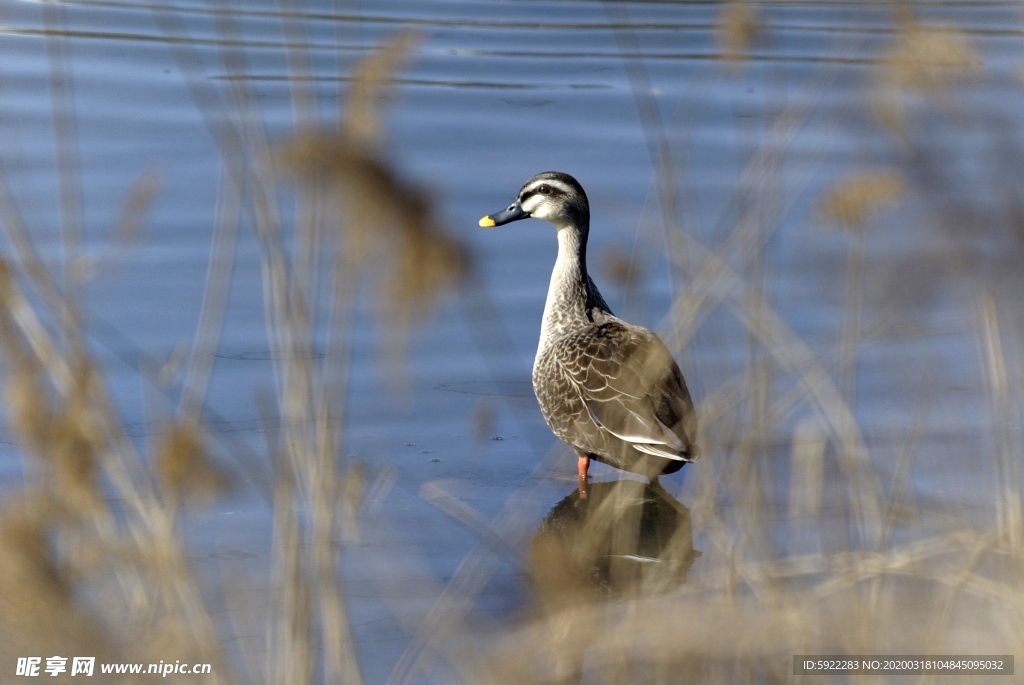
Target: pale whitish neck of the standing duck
{"type": "Point", "coordinates": [572, 295]}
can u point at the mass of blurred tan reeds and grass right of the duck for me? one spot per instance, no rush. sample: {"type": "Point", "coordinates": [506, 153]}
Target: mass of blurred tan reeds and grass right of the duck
{"type": "Point", "coordinates": [830, 576]}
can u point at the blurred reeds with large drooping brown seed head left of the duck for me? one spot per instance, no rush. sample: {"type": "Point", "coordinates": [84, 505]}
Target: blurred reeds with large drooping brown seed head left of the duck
{"type": "Point", "coordinates": [354, 210]}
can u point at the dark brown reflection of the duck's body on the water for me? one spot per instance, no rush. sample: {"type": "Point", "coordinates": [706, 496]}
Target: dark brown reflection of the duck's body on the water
{"type": "Point", "coordinates": [625, 537]}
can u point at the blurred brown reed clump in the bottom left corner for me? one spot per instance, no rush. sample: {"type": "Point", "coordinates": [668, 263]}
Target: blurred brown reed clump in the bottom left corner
{"type": "Point", "coordinates": [81, 445]}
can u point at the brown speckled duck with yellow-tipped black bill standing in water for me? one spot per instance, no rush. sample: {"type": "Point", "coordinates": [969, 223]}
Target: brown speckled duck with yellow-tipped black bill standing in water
{"type": "Point", "coordinates": [610, 390]}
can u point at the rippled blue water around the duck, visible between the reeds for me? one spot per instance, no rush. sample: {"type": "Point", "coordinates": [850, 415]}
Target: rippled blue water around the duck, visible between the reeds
{"type": "Point", "coordinates": [499, 92]}
